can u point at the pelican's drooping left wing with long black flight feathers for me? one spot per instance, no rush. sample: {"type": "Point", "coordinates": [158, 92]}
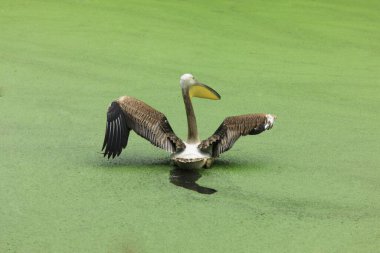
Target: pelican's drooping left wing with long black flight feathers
{"type": "Point", "coordinates": [129, 113]}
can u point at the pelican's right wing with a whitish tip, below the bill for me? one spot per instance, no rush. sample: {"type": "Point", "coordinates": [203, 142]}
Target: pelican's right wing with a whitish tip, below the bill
{"type": "Point", "coordinates": [233, 127]}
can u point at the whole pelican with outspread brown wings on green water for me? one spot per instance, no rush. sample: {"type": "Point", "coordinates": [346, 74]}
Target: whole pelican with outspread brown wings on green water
{"type": "Point", "coordinates": [128, 113]}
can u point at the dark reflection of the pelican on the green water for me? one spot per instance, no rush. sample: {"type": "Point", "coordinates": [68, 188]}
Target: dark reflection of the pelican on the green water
{"type": "Point", "coordinates": [187, 179]}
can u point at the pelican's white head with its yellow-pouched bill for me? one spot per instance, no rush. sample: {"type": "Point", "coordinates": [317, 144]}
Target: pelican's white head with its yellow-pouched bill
{"type": "Point", "coordinates": [193, 88]}
